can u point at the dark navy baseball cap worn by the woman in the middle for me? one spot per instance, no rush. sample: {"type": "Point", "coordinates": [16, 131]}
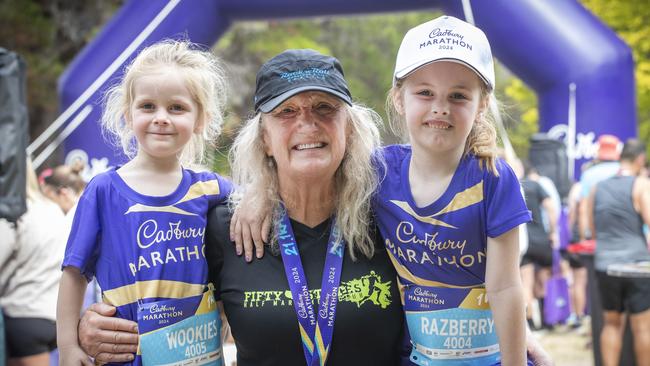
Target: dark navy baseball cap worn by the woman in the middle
{"type": "Point", "coordinates": [295, 71]}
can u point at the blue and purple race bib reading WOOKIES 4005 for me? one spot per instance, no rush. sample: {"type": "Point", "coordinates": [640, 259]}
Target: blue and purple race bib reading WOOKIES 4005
{"type": "Point", "coordinates": [181, 331]}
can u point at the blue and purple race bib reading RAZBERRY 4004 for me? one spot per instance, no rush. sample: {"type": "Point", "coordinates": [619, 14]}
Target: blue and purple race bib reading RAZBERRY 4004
{"type": "Point", "coordinates": [450, 326]}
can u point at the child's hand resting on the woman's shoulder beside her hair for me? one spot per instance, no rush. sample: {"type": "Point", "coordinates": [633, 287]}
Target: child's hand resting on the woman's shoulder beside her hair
{"type": "Point", "coordinates": [249, 229]}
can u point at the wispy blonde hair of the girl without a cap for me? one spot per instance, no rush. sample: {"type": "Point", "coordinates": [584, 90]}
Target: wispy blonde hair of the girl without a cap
{"type": "Point", "coordinates": [204, 77]}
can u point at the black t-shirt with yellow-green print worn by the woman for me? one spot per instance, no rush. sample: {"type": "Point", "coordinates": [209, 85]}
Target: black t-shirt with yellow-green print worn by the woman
{"type": "Point", "coordinates": [257, 300]}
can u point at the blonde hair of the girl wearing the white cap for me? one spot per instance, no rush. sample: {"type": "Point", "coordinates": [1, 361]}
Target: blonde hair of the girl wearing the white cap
{"type": "Point", "coordinates": [482, 139]}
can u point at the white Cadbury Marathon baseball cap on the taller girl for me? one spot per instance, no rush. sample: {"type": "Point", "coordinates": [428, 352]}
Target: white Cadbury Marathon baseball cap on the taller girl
{"type": "Point", "coordinates": [445, 39]}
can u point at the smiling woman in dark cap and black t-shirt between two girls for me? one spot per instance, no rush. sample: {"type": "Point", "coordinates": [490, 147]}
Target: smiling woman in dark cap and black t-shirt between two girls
{"type": "Point", "coordinates": [308, 149]}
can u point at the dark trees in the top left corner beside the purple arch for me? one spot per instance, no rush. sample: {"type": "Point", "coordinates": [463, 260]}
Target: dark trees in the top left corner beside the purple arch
{"type": "Point", "coordinates": [48, 34]}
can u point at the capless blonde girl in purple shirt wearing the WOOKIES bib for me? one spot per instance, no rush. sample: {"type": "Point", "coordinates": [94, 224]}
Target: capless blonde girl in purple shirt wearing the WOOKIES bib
{"type": "Point", "coordinates": [139, 228]}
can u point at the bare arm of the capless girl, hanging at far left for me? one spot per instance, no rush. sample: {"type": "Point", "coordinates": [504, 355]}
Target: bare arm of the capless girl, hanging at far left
{"type": "Point", "coordinates": [71, 292]}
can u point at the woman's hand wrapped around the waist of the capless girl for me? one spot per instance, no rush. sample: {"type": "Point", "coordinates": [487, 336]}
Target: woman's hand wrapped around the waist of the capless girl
{"type": "Point", "coordinates": [106, 338]}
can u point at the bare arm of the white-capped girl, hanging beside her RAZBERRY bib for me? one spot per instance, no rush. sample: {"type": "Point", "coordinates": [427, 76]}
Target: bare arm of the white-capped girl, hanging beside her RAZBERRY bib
{"type": "Point", "coordinates": [505, 295]}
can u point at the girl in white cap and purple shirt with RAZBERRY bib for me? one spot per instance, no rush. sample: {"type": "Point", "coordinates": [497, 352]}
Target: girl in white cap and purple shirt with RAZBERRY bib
{"type": "Point", "coordinates": [448, 208]}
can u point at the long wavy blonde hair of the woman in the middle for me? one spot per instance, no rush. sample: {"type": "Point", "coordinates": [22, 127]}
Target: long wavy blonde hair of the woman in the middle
{"type": "Point", "coordinates": [355, 179]}
